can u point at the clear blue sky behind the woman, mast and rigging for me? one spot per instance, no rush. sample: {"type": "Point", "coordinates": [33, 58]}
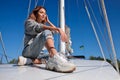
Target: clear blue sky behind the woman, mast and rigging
{"type": "Point", "coordinates": [14, 13]}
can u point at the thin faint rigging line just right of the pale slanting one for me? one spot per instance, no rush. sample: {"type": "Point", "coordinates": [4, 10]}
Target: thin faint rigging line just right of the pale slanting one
{"type": "Point", "coordinates": [98, 25]}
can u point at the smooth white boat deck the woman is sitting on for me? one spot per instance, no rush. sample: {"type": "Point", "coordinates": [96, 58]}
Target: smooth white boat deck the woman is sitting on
{"type": "Point", "coordinates": [86, 70]}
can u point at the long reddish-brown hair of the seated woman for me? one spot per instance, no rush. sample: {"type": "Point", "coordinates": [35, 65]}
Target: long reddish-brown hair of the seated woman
{"type": "Point", "coordinates": [33, 15]}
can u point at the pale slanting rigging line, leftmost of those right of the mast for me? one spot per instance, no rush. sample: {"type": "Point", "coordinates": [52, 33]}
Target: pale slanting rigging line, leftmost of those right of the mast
{"type": "Point", "coordinates": [94, 30]}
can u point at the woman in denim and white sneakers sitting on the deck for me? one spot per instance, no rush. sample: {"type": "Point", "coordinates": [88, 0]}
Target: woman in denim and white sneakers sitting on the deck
{"type": "Point", "coordinates": [38, 35]}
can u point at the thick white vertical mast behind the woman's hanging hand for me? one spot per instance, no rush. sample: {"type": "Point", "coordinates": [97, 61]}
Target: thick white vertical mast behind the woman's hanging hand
{"type": "Point", "coordinates": [62, 24]}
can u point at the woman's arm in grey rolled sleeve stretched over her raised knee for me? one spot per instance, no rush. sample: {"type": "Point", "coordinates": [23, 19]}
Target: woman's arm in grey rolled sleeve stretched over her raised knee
{"type": "Point", "coordinates": [33, 28]}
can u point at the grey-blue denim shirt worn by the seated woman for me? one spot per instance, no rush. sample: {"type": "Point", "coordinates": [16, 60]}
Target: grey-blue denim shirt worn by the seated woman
{"type": "Point", "coordinates": [32, 28]}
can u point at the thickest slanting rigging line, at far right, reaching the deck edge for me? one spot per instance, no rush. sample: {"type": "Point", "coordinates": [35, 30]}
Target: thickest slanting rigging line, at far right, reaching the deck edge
{"type": "Point", "coordinates": [109, 33]}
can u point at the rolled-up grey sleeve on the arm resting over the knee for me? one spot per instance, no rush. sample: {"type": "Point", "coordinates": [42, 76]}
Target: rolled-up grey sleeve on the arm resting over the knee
{"type": "Point", "coordinates": [32, 27]}
